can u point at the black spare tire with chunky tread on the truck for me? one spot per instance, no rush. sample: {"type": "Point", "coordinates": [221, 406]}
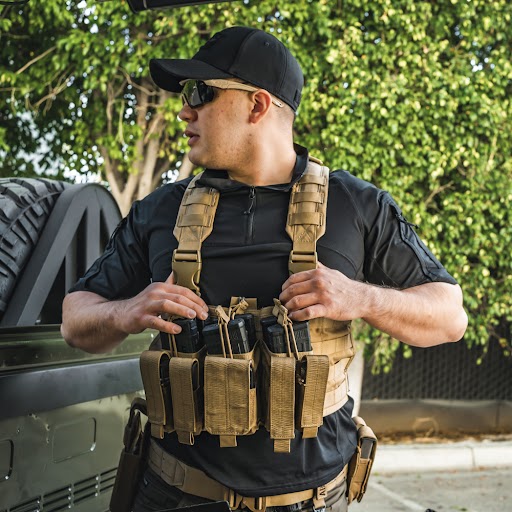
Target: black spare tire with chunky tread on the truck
{"type": "Point", "coordinates": [25, 205]}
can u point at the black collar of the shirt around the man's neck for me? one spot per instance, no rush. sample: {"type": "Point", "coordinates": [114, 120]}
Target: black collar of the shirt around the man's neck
{"type": "Point", "coordinates": [220, 180]}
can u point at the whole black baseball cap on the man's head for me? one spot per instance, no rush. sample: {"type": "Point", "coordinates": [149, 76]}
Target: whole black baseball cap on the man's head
{"type": "Point", "coordinates": [246, 53]}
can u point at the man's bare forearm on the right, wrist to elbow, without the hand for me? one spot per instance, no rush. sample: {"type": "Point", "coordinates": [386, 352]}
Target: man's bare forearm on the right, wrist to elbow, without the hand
{"type": "Point", "coordinates": [425, 315]}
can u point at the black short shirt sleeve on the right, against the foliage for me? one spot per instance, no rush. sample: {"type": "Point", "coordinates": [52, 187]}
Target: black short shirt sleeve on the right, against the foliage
{"type": "Point", "coordinates": [395, 255]}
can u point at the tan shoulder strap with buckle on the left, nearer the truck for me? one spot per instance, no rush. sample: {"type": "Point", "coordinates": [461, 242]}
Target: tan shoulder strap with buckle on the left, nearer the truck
{"type": "Point", "coordinates": [193, 225]}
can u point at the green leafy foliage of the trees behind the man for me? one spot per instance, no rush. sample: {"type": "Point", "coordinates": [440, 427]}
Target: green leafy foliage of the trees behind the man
{"type": "Point", "coordinates": [411, 95]}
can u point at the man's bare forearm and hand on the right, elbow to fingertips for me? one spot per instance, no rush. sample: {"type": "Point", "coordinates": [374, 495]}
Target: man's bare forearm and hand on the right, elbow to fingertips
{"type": "Point", "coordinates": [424, 315]}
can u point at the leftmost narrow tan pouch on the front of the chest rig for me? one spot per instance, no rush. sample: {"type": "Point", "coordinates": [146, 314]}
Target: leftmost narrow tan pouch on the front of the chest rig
{"type": "Point", "coordinates": [159, 408]}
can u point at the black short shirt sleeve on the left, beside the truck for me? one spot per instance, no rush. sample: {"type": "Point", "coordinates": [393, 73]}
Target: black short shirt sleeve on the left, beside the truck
{"type": "Point", "coordinates": [122, 271]}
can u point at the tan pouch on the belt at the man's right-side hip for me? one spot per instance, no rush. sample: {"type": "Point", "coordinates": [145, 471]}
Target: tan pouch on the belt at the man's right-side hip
{"type": "Point", "coordinates": [360, 464]}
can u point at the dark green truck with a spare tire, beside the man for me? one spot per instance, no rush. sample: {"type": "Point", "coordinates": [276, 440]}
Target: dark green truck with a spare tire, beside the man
{"type": "Point", "coordinates": [62, 411]}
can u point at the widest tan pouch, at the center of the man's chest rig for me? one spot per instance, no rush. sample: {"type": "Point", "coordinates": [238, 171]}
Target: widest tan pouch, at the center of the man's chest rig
{"type": "Point", "coordinates": [230, 397]}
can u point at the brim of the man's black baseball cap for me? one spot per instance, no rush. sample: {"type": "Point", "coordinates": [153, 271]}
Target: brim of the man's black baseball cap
{"type": "Point", "coordinates": [168, 73]}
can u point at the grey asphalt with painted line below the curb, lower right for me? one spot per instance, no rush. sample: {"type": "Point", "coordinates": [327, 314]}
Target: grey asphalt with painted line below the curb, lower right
{"type": "Point", "coordinates": [487, 490]}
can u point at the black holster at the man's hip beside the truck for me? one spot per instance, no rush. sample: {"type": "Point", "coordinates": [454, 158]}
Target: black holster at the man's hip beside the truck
{"type": "Point", "coordinates": [133, 459]}
